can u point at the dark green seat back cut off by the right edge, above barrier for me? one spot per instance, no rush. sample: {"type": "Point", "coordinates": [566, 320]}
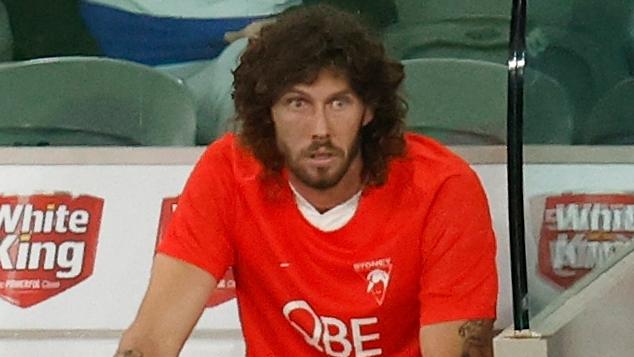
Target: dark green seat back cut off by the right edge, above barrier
{"type": "Point", "coordinates": [611, 121]}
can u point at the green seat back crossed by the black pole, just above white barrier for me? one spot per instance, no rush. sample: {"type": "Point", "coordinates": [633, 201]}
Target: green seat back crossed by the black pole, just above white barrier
{"type": "Point", "coordinates": [464, 102]}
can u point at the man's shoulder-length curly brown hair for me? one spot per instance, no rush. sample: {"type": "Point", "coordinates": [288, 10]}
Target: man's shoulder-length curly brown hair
{"type": "Point", "coordinates": [293, 50]}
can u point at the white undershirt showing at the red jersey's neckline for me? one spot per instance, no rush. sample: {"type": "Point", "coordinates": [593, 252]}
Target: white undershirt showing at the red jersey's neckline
{"type": "Point", "coordinates": [330, 220]}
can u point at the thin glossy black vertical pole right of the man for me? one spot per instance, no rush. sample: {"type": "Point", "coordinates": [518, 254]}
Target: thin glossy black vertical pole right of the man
{"type": "Point", "coordinates": [514, 164]}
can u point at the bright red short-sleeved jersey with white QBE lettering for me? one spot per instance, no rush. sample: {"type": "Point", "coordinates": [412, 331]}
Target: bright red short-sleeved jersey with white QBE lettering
{"type": "Point", "coordinates": [419, 250]}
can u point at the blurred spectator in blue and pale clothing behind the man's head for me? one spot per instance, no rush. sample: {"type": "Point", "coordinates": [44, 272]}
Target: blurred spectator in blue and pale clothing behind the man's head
{"type": "Point", "coordinates": [197, 41]}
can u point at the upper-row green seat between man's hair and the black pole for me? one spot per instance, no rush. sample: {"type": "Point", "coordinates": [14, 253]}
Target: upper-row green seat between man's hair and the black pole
{"type": "Point", "coordinates": [476, 30]}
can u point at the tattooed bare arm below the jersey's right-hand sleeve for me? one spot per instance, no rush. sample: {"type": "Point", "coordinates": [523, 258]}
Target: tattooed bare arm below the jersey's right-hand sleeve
{"type": "Point", "coordinates": [465, 338]}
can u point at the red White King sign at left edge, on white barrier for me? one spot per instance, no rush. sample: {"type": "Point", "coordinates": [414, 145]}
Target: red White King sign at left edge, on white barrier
{"type": "Point", "coordinates": [47, 244]}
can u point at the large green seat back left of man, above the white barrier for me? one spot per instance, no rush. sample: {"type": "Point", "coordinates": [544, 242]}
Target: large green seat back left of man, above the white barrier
{"type": "Point", "coordinates": [66, 101]}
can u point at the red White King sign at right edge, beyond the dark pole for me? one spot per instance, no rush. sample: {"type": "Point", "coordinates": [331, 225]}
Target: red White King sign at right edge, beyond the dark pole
{"type": "Point", "coordinates": [581, 231]}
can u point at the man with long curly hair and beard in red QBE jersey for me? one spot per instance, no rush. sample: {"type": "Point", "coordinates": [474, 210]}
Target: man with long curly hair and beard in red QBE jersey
{"type": "Point", "coordinates": [347, 237]}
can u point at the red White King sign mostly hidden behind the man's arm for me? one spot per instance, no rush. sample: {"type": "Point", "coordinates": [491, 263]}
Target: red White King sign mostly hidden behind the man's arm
{"type": "Point", "coordinates": [226, 288]}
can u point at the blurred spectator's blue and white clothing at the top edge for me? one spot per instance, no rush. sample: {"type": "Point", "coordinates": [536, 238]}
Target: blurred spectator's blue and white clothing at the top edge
{"type": "Point", "coordinates": [161, 32]}
